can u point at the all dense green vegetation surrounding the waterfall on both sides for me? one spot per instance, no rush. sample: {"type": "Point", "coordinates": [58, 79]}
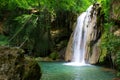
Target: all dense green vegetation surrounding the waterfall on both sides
{"type": "Point", "coordinates": [29, 24]}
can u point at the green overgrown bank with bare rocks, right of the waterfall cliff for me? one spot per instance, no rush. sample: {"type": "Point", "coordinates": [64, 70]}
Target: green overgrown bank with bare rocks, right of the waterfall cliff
{"type": "Point", "coordinates": [110, 40]}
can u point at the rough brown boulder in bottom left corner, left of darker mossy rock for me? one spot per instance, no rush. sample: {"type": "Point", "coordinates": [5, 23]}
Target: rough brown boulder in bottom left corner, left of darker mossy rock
{"type": "Point", "coordinates": [11, 67]}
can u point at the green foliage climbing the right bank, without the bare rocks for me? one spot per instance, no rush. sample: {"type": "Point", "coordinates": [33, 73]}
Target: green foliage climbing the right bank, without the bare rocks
{"type": "Point", "coordinates": [110, 43]}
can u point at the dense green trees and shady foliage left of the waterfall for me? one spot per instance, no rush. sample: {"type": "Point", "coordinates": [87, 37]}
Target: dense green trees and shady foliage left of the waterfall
{"type": "Point", "coordinates": [29, 23]}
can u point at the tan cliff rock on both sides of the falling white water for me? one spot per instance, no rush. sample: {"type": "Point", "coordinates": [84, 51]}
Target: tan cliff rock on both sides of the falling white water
{"type": "Point", "coordinates": [94, 29]}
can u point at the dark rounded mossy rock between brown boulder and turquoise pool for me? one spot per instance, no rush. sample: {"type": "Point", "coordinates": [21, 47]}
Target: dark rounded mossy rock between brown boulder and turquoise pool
{"type": "Point", "coordinates": [32, 70]}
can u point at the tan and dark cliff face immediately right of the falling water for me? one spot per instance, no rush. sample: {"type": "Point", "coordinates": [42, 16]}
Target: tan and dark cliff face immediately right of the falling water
{"type": "Point", "coordinates": [94, 34]}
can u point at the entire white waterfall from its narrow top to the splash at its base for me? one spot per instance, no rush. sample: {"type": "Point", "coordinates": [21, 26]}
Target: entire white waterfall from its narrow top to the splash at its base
{"type": "Point", "coordinates": [79, 38]}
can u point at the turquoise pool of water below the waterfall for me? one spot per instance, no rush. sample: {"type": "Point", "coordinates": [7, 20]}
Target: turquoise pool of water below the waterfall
{"type": "Point", "coordinates": [58, 71]}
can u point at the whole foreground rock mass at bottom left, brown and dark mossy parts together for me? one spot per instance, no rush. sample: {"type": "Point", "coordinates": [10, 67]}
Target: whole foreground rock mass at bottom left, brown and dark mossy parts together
{"type": "Point", "coordinates": [13, 65]}
